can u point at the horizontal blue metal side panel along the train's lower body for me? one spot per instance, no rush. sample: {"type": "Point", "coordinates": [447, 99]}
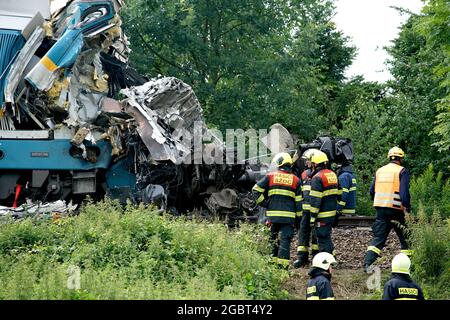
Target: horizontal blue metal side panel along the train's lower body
{"type": "Point", "coordinates": [48, 155]}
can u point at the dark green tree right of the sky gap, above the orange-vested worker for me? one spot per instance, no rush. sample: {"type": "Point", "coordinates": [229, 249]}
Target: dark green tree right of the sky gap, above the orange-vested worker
{"type": "Point", "coordinates": [419, 95]}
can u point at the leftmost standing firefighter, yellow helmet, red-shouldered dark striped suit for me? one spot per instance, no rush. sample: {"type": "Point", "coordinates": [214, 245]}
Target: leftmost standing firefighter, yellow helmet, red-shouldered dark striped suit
{"type": "Point", "coordinates": [280, 193]}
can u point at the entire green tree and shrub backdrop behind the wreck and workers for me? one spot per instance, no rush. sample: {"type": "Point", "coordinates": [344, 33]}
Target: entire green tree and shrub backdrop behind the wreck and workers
{"type": "Point", "coordinates": [253, 63]}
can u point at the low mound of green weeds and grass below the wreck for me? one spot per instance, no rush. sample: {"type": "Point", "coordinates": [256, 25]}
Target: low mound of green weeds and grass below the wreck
{"type": "Point", "coordinates": [135, 253]}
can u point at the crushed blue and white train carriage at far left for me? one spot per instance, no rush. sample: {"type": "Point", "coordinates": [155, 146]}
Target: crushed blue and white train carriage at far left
{"type": "Point", "coordinates": [54, 81]}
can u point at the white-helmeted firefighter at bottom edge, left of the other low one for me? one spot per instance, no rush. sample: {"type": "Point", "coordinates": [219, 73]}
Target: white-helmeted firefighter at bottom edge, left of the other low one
{"type": "Point", "coordinates": [319, 284]}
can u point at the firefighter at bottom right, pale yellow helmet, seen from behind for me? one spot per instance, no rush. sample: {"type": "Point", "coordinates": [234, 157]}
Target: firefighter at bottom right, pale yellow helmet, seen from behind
{"type": "Point", "coordinates": [400, 286]}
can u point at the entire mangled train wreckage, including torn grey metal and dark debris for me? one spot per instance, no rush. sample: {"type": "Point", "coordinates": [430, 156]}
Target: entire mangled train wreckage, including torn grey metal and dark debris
{"type": "Point", "coordinates": [63, 135]}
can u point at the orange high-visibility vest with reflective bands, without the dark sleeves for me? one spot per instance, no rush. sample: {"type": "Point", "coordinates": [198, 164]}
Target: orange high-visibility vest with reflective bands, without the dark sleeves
{"type": "Point", "coordinates": [387, 187]}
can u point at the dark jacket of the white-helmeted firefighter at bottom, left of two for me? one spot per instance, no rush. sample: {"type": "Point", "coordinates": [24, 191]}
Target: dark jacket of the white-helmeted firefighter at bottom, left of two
{"type": "Point", "coordinates": [319, 286]}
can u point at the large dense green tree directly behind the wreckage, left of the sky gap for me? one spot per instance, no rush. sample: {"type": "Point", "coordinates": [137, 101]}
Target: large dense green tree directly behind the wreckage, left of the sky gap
{"type": "Point", "coordinates": [251, 63]}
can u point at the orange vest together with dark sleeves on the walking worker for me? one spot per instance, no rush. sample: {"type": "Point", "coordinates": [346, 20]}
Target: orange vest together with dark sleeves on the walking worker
{"type": "Point", "coordinates": [390, 187]}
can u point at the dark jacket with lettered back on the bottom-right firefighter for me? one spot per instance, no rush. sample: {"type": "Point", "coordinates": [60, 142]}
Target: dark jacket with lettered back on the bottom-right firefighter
{"type": "Point", "coordinates": [402, 287]}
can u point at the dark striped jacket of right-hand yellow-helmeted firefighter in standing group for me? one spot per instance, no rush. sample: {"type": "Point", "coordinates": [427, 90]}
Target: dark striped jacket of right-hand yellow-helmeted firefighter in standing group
{"type": "Point", "coordinates": [323, 194]}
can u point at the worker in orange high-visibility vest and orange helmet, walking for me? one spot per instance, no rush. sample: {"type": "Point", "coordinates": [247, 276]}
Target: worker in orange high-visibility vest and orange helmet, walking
{"type": "Point", "coordinates": [391, 199]}
